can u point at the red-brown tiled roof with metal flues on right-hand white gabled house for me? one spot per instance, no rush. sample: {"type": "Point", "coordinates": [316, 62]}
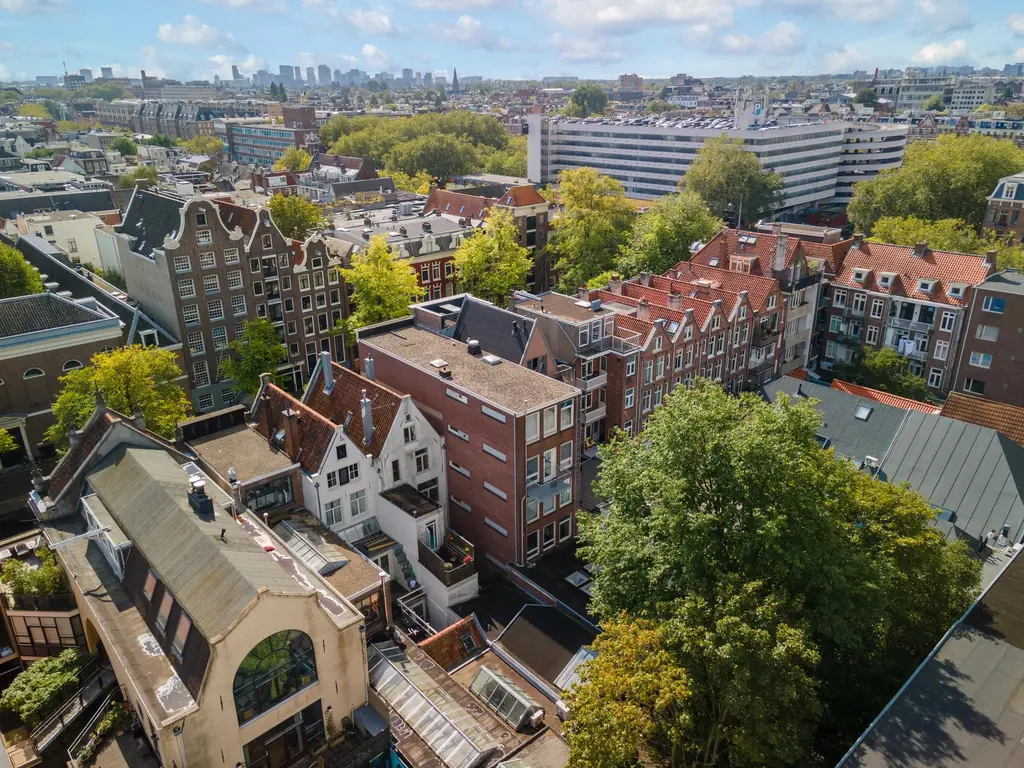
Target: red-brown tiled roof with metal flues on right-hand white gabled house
{"type": "Point", "coordinates": [346, 398]}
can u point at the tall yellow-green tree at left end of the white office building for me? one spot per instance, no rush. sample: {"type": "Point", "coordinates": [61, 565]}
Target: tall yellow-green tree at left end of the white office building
{"type": "Point", "coordinates": [594, 224]}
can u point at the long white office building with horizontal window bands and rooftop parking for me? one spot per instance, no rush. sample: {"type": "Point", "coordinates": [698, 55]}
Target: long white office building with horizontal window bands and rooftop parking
{"type": "Point", "coordinates": [820, 162]}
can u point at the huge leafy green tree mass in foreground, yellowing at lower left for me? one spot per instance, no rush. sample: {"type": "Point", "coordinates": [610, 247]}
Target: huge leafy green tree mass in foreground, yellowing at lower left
{"type": "Point", "coordinates": [792, 593]}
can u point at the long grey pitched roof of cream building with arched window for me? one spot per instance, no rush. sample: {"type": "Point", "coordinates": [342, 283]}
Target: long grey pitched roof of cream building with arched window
{"type": "Point", "coordinates": [214, 579]}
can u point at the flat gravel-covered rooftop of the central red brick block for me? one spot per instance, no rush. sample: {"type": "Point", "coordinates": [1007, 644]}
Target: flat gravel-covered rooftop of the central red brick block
{"type": "Point", "coordinates": [516, 389]}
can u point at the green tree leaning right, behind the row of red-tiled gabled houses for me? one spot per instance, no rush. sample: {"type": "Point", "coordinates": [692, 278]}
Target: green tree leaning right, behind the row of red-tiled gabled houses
{"type": "Point", "coordinates": [662, 237]}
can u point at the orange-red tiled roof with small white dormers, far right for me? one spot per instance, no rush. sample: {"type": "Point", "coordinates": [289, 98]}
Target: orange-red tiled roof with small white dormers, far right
{"type": "Point", "coordinates": [944, 268]}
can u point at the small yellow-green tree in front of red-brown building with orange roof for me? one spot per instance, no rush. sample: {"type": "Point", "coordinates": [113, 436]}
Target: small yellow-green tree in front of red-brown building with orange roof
{"type": "Point", "coordinates": [491, 263]}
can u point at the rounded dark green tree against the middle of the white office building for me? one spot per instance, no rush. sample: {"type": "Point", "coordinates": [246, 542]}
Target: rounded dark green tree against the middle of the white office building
{"type": "Point", "coordinates": [730, 179]}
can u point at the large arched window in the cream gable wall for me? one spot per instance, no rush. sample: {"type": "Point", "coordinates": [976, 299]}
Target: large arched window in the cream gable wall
{"type": "Point", "coordinates": [277, 668]}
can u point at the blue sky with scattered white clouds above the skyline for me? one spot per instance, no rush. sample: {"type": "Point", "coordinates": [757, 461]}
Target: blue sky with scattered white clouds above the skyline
{"type": "Point", "coordinates": [497, 38]}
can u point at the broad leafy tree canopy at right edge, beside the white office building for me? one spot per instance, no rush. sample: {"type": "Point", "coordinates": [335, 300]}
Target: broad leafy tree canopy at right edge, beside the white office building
{"type": "Point", "coordinates": [949, 179]}
